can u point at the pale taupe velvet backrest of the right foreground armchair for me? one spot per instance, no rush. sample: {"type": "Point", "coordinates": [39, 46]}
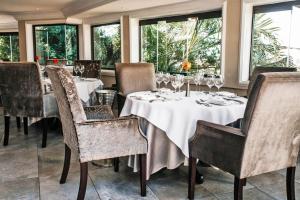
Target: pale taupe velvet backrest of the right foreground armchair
{"type": "Point", "coordinates": [272, 123]}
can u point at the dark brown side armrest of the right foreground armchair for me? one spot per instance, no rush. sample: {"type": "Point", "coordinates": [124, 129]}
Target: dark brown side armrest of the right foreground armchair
{"type": "Point", "coordinates": [218, 145]}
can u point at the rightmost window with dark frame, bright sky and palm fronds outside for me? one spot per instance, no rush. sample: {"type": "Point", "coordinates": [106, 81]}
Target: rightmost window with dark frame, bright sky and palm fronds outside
{"type": "Point", "coordinates": [275, 35]}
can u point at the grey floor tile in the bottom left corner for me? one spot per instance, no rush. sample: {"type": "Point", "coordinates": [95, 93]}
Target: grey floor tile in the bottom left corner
{"type": "Point", "coordinates": [25, 189]}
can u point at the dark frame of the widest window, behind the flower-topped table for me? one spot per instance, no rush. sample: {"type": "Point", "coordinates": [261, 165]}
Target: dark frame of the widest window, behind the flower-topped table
{"type": "Point", "coordinates": [180, 18]}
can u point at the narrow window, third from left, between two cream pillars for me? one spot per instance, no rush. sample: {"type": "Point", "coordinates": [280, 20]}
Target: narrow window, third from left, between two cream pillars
{"type": "Point", "coordinates": [106, 45]}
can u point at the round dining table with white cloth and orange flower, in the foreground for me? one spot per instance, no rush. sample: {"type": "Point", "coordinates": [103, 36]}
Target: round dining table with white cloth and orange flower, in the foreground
{"type": "Point", "coordinates": [168, 120]}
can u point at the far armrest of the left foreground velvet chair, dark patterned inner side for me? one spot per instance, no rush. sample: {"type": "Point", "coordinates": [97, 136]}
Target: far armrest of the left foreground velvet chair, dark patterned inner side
{"type": "Point", "coordinates": [99, 112]}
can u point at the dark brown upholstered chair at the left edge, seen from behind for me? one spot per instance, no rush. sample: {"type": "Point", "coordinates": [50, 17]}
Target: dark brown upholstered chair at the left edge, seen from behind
{"type": "Point", "coordinates": [23, 96]}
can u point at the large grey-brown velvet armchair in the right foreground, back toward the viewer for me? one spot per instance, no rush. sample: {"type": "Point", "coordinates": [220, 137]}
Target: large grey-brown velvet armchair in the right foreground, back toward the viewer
{"type": "Point", "coordinates": [268, 140]}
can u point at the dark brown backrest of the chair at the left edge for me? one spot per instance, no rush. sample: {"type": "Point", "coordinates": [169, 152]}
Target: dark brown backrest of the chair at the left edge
{"type": "Point", "coordinates": [21, 89]}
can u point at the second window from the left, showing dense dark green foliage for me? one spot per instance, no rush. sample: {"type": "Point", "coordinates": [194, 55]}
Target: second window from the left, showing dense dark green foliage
{"type": "Point", "coordinates": [59, 41]}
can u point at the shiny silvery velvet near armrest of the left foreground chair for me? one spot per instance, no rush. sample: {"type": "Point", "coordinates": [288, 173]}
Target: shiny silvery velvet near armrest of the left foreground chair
{"type": "Point", "coordinates": [104, 139]}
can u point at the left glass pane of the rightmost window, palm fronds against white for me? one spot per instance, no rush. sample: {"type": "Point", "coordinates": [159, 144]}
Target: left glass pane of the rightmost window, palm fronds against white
{"type": "Point", "coordinates": [271, 39]}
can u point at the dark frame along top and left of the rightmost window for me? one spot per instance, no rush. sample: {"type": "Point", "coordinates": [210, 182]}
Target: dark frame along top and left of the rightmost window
{"type": "Point", "coordinates": [266, 8]}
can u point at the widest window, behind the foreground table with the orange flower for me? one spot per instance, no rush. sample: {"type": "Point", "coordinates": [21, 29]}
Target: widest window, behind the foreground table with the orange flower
{"type": "Point", "coordinates": [166, 42]}
